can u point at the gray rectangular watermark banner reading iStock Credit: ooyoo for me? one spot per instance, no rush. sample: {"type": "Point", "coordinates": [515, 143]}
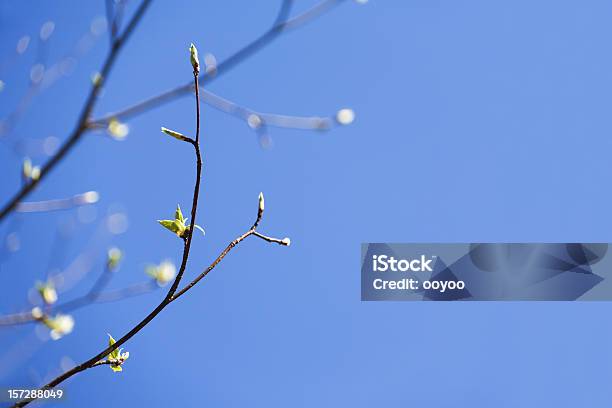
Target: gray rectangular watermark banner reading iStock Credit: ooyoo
{"type": "Point", "coordinates": [512, 271]}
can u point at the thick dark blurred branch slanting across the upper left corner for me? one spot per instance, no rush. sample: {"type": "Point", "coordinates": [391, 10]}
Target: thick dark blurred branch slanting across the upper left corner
{"type": "Point", "coordinates": [81, 125]}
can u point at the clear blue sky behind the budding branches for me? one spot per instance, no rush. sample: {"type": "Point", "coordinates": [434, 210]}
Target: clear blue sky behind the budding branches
{"type": "Point", "coordinates": [476, 121]}
